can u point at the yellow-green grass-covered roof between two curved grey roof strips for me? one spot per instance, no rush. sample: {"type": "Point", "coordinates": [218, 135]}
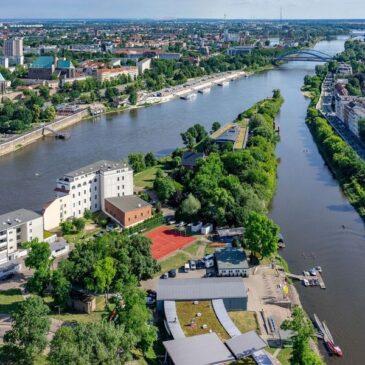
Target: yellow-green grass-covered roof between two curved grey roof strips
{"type": "Point", "coordinates": [187, 312]}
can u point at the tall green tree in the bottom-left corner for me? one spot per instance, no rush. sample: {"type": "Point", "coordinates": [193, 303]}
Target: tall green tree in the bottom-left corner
{"type": "Point", "coordinates": [30, 325]}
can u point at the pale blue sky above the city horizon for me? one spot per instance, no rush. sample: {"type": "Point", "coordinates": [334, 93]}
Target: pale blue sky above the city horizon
{"type": "Point", "coordinates": [162, 9]}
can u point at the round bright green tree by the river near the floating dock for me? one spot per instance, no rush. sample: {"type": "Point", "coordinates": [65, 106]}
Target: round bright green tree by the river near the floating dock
{"type": "Point", "coordinates": [261, 234]}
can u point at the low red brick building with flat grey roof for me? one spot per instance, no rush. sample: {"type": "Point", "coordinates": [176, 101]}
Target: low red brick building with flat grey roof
{"type": "Point", "coordinates": [128, 210]}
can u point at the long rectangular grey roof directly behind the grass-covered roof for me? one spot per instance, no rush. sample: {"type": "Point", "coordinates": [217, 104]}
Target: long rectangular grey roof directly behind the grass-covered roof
{"type": "Point", "coordinates": [201, 289]}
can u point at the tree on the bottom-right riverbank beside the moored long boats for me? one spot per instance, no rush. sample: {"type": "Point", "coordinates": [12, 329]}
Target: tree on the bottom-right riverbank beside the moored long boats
{"type": "Point", "coordinates": [303, 333]}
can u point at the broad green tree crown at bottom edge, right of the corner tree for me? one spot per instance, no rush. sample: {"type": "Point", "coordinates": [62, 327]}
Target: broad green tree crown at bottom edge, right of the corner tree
{"type": "Point", "coordinates": [92, 343]}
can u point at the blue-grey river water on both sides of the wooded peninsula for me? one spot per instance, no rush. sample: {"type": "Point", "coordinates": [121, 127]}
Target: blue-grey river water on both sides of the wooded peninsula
{"type": "Point", "coordinates": [308, 206]}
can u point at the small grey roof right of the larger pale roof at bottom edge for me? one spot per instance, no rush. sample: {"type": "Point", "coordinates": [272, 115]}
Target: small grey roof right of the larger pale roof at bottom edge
{"type": "Point", "coordinates": [246, 344]}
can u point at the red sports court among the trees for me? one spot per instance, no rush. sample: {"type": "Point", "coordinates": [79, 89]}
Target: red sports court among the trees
{"type": "Point", "coordinates": [166, 240]}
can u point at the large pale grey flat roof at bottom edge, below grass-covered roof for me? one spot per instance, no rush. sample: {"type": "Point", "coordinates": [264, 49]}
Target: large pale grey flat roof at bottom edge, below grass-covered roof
{"type": "Point", "coordinates": [204, 349]}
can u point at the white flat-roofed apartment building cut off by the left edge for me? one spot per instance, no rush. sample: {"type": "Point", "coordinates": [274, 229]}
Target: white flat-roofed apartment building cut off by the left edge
{"type": "Point", "coordinates": [15, 228]}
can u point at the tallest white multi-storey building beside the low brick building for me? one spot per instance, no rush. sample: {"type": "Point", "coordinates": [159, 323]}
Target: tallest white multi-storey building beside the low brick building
{"type": "Point", "coordinates": [87, 188]}
